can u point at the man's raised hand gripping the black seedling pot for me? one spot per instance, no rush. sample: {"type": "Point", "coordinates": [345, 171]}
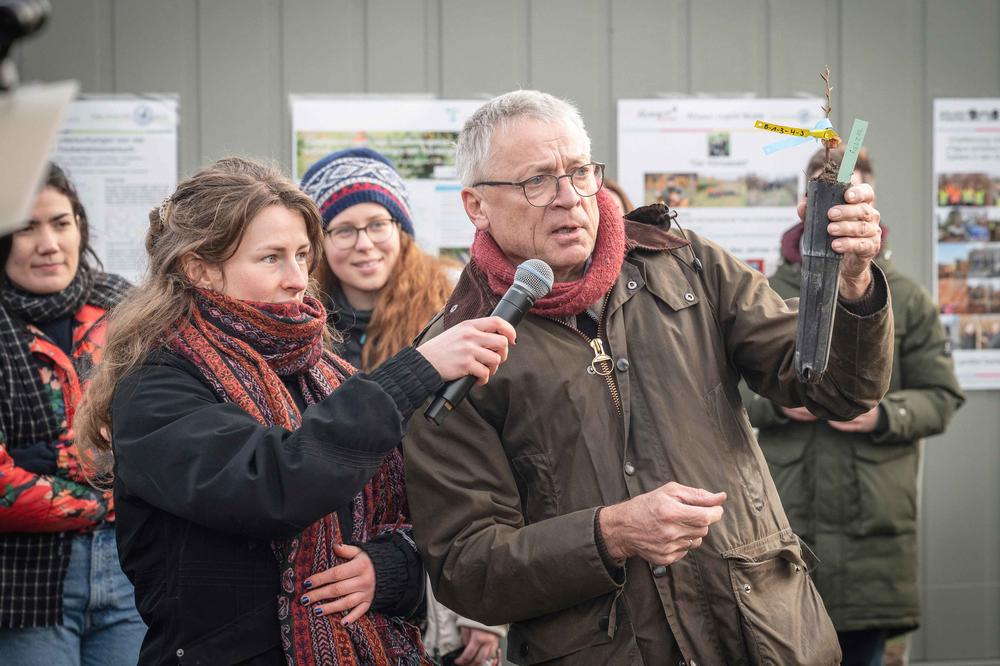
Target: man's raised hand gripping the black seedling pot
{"type": "Point", "coordinates": [857, 237]}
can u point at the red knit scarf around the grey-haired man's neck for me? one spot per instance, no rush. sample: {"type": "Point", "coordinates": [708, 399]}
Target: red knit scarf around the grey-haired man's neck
{"type": "Point", "coordinates": [566, 298]}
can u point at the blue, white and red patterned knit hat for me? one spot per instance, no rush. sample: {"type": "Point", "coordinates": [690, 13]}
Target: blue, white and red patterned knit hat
{"type": "Point", "coordinates": [357, 175]}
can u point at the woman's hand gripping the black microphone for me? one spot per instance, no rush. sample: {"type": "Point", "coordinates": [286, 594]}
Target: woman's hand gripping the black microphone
{"type": "Point", "coordinates": [474, 347]}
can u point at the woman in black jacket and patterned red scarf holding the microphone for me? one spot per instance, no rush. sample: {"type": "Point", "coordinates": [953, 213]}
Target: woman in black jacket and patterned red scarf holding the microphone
{"type": "Point", "coordinates": [254, 470]}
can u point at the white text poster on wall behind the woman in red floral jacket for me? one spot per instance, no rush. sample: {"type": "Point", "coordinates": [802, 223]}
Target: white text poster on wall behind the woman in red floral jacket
{"type": "Point", "coordinates": [121, 153]}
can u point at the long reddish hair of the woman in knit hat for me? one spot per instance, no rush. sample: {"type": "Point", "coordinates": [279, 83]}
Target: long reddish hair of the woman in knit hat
{"type": "Point", "coordinates": [417, 288]}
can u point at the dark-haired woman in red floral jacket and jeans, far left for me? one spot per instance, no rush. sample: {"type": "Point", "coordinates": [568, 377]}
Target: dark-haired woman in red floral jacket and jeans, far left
{"type": "Point", "coordinates": [63, 596]}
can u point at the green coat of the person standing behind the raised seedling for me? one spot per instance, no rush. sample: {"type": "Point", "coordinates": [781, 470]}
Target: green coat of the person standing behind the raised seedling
{"type": "Point", "coordinates": [852, 497]}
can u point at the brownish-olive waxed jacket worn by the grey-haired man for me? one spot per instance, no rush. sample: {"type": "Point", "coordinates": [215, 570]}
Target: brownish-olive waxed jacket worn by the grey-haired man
{"type": "Point", "coordinates": [504, 494]}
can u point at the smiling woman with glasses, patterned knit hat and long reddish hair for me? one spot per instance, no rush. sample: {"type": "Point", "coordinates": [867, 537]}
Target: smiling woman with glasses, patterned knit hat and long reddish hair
{"type": "Point", "coordinates": [383, 289]}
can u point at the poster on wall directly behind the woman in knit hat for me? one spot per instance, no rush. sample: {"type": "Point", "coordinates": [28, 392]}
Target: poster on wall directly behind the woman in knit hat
{"type": "Point", "coordinates": [417, 134]}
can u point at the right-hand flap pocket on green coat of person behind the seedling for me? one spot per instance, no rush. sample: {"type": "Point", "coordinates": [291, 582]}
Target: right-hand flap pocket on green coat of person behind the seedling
{"type": "Point", "coordinates": [886, 478]}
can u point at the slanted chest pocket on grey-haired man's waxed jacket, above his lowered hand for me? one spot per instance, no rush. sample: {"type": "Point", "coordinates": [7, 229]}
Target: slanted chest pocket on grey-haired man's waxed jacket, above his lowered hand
{"type": "Point", "coordinates": [735, 436]}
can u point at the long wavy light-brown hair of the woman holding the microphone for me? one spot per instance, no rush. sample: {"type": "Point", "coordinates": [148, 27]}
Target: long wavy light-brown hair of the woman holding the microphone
{"type": "Point", "coordinates": [207, 217]}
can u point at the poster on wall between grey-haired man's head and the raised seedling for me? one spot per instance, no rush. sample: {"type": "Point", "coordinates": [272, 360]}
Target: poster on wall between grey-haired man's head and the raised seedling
{"type": "Point", "coordinates": [706, 158]}
